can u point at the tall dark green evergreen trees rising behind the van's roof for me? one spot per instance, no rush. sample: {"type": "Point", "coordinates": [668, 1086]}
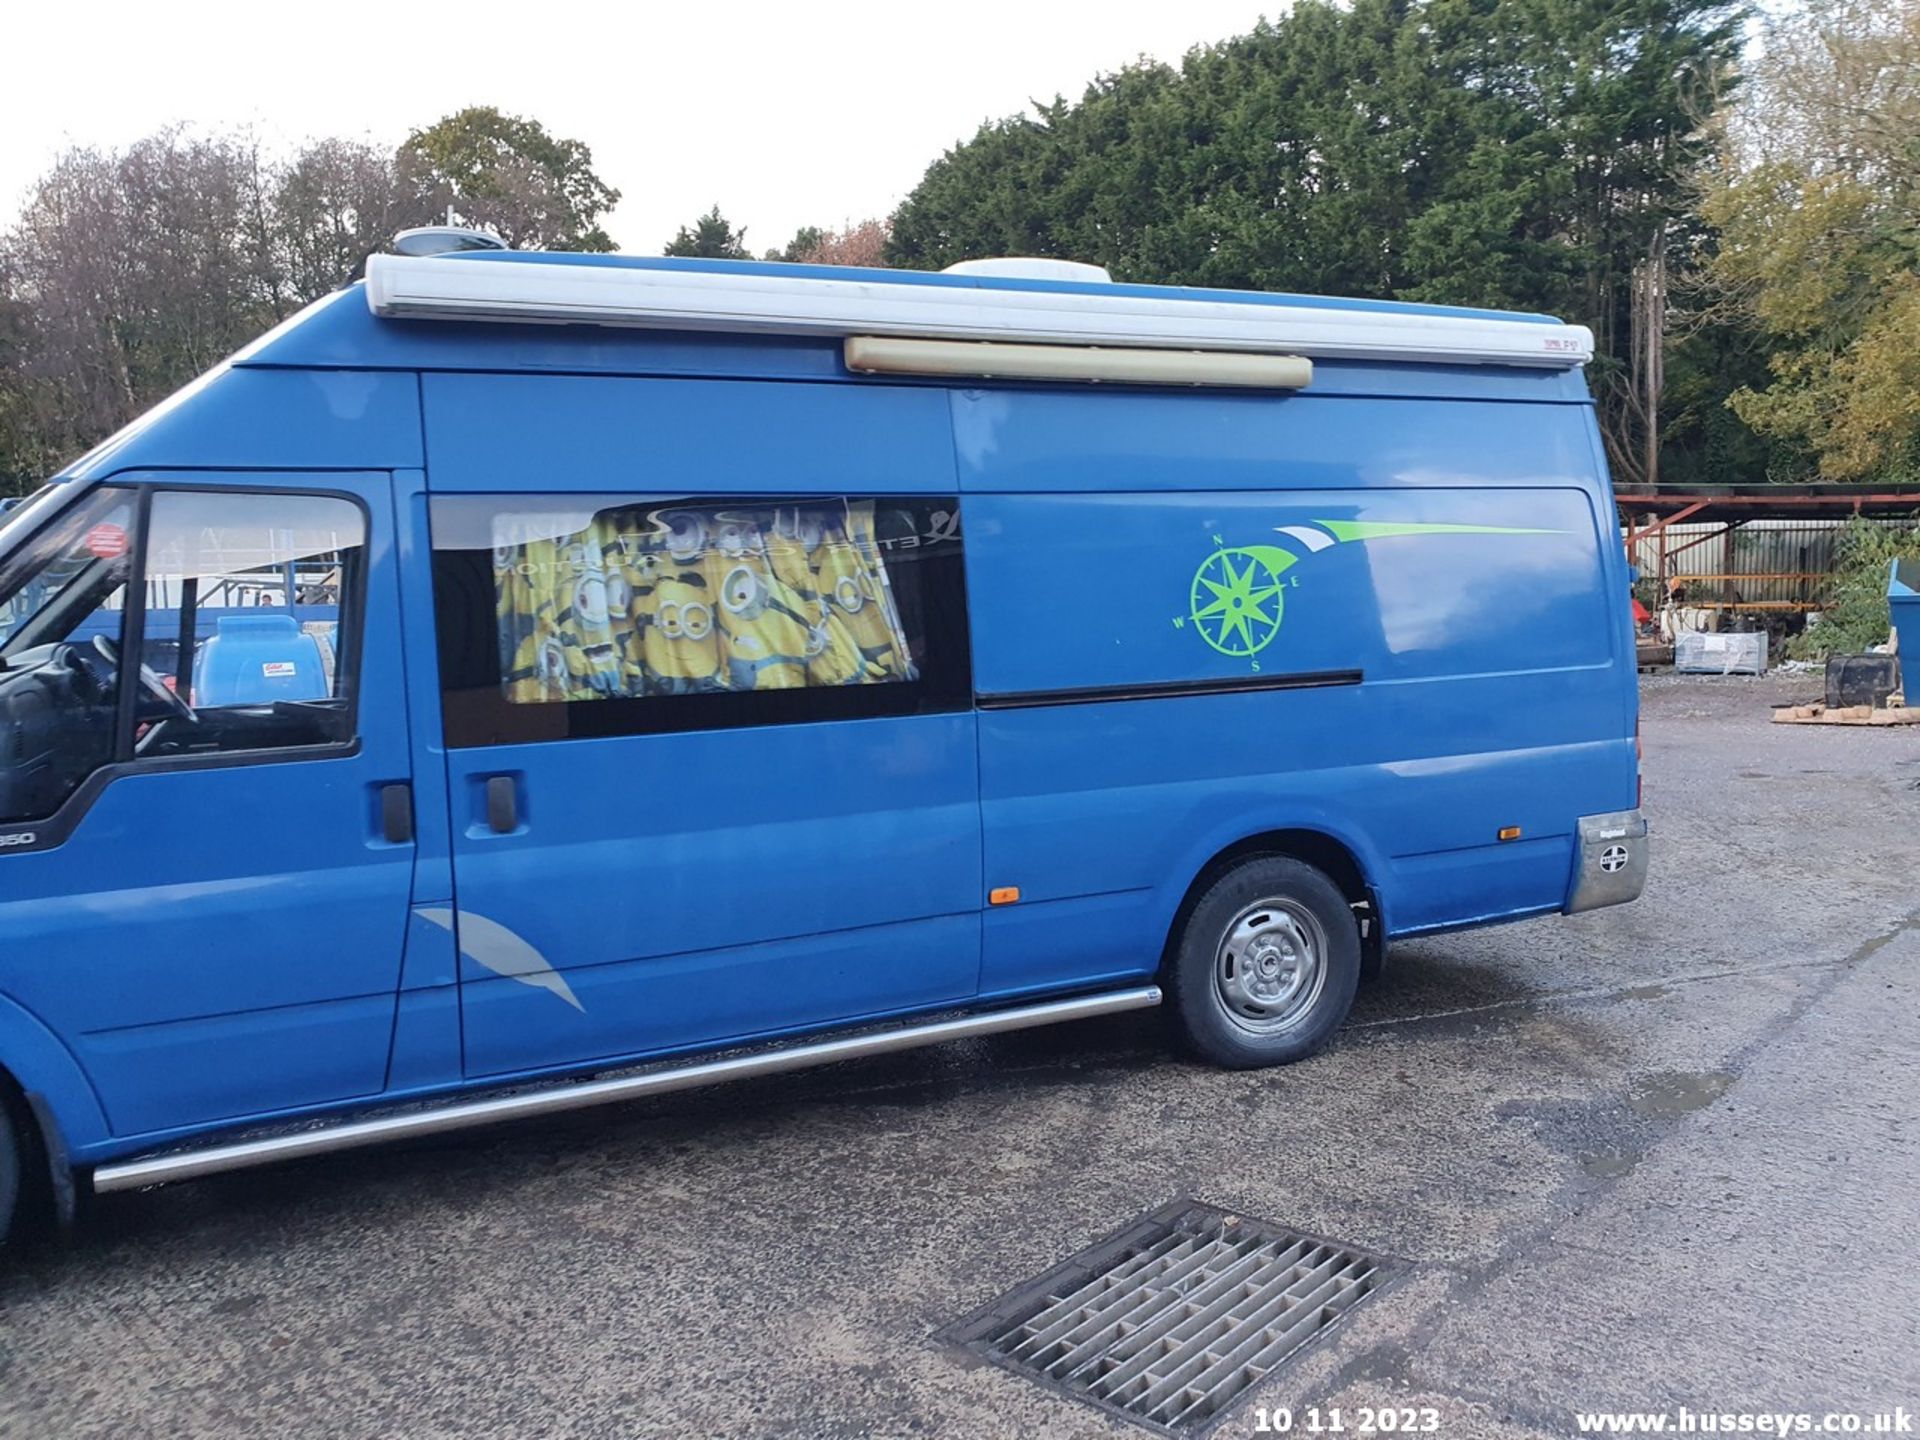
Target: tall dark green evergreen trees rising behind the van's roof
{"type": "Point", "coordinates": [1529, 155]}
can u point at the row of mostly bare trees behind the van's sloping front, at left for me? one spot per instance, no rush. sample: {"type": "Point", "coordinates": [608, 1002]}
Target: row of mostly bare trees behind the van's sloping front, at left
{"type": "Point", "coordinates": [133, 272]}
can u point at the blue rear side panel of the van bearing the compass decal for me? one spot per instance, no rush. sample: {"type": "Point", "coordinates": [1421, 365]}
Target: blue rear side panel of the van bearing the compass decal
{"type": "Point", "coordinates": [1385, 621]}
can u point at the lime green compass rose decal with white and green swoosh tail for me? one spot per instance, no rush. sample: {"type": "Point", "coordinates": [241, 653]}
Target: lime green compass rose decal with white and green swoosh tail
{"type": "Point", "coordinates": [1239, 592]}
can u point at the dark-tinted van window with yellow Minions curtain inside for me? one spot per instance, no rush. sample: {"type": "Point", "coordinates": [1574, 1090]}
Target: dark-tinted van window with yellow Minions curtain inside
{"type": "Point", "coordinates": [579, 617]}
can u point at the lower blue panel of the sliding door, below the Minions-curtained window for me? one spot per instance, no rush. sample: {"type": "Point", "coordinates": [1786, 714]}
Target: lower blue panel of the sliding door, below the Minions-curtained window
{"type": "Point", "coordinates": [713, 886]}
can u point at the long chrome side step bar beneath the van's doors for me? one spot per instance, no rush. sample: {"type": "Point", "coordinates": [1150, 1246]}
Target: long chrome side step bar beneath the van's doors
{"type": "Point", "coordinates": [241, 1155]}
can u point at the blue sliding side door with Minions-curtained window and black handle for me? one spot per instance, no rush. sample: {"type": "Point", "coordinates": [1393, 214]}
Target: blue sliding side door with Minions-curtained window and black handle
{"type": "Point", "coordinates": [708, 709]}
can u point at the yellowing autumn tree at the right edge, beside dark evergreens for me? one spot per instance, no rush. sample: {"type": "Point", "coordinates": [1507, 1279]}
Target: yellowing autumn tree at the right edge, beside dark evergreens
{"type": "Point", "coordinates": [1819, 235]}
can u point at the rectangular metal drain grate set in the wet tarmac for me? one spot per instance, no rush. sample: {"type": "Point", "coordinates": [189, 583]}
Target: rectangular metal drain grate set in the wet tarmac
{"type": "Point", "coordinates": [1178, 1316]}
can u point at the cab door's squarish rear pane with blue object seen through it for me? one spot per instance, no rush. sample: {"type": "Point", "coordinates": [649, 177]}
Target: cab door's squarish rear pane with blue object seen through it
{"type": "Point", "coordinates": [251, 617]}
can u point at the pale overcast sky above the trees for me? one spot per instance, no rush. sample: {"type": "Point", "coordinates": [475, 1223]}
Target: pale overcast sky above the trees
{"type": "Point", "coordinates": [784, 114]}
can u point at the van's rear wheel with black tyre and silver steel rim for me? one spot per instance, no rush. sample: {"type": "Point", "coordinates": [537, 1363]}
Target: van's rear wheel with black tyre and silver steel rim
{"type": "Point", "coordinates": [1268, 963]}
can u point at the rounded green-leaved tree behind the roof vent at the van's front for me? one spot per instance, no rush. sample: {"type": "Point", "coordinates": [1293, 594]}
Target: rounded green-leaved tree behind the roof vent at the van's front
{"type": "Point", "coordinates": [512, 176]}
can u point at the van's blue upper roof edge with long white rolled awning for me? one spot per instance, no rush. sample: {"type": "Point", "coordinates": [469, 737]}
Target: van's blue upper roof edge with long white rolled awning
{"type": "Point", "coordinates": [304, 395]}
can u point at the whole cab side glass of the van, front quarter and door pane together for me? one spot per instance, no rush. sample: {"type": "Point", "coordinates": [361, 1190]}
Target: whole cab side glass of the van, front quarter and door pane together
{"type": "Point", "coordinates": [216, 623]}
